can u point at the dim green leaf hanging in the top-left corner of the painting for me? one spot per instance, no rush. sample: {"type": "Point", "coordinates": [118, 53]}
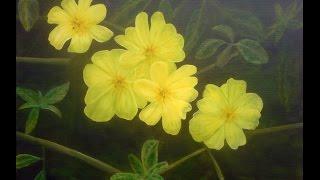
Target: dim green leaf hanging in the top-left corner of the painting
{"type": "Point", "coordinates": [28, 11]}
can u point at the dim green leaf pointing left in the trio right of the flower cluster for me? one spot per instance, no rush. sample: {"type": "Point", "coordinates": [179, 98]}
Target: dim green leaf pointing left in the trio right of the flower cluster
{"type": "Point", "coordinates": [208, 48]}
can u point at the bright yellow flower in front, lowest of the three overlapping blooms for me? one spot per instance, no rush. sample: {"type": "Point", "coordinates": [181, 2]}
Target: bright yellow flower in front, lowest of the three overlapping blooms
{"type": "Point", "coordinates": [169, 93]}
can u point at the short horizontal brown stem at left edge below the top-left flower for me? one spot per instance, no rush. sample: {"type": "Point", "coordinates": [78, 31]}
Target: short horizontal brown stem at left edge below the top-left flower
{"type": "Point", "coordinates": [56, 61]}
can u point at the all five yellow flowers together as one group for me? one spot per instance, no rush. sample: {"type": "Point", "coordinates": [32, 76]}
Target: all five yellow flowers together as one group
{"type": "Point", "coordinates": [144, 75]}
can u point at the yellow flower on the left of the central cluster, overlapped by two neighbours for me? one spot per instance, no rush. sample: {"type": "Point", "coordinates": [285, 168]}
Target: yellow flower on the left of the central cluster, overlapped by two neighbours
{"type": "Point", "coordinates": [110, 88]}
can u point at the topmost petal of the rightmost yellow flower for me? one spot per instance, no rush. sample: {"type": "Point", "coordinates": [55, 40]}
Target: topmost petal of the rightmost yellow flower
{"type": "Point", "coordinates": [234, 89]}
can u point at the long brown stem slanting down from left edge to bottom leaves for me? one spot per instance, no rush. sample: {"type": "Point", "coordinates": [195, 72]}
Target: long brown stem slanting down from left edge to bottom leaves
{"type": "Point", "coordinates": [68, 151]}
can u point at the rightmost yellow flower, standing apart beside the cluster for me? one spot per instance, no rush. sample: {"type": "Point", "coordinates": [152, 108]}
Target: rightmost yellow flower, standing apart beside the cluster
{"type": "Point", "coordinates": [223, 113]}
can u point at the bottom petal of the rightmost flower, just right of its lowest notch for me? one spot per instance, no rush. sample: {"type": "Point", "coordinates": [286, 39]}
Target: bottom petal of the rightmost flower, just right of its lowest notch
{"type": "Point", "coordinates": [234, 135]}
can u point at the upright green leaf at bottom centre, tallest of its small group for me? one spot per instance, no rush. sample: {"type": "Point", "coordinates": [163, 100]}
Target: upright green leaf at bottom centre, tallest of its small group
{"type": "Point", "coordinates": [149, 153]}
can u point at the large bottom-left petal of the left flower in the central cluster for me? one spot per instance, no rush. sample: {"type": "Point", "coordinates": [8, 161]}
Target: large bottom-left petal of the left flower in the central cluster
{"type": "Point", "coordinates": [102, 110]}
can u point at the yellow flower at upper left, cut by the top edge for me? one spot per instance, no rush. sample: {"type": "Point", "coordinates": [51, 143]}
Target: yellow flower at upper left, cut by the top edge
{"type": "Point", "coordinates": [78, 23]}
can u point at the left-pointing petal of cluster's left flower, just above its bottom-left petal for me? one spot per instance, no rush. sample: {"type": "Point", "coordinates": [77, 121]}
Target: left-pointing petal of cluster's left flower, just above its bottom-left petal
{"type": "Point", "coordinates": [95, 92]}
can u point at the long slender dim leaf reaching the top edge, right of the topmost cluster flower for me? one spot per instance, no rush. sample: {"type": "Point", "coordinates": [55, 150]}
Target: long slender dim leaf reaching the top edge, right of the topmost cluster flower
{"type": "Point", "coordinates": [194, 28]}
